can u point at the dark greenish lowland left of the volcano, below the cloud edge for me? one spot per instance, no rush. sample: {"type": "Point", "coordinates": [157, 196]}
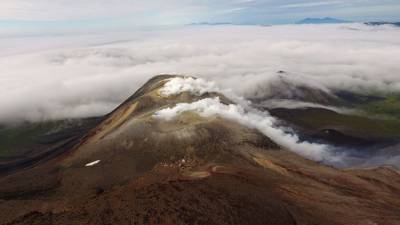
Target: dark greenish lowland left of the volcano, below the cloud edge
{"type": "Point", "coordinates": [27, 144]}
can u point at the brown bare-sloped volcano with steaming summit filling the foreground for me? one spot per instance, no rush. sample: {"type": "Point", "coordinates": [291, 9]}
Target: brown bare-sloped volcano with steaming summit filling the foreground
{"type": "Point", "coordinates": [157, 159]}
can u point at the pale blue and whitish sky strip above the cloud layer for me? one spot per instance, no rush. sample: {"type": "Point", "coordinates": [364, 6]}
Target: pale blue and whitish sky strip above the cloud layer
{"type": "Point", "coordinates": [52, 14]}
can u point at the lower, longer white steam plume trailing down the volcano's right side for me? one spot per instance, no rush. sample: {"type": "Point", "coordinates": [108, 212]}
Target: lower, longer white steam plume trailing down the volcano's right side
{"type": "Point", "coordinates": [261, 121]}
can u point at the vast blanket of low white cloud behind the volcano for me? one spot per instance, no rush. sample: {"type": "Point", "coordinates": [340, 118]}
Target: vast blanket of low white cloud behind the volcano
{"type": "Point", "coordinates": [90, 80]}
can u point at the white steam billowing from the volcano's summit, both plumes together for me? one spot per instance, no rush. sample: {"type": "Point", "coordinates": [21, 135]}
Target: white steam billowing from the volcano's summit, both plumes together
{"type": "Point", "coordinates": [242, 114]}
